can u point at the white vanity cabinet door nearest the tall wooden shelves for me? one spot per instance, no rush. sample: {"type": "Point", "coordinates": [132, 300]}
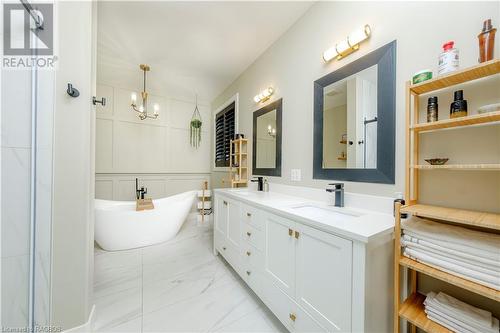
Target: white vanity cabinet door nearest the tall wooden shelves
{"type": "Point", "coordinates": [323, 277]}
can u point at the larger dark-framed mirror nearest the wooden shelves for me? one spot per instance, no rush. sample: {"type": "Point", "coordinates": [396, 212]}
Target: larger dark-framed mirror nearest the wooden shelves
{"type": "Point", "coordinates": [354, 120]}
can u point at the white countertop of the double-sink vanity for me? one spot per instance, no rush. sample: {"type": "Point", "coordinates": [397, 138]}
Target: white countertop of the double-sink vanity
{"type": "Point", "coordinates": [364, 227]}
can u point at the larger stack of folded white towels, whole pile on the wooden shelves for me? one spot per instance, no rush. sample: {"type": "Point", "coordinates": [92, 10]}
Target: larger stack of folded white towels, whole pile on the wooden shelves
{"type": "Point", "coordinates": [470, 254]}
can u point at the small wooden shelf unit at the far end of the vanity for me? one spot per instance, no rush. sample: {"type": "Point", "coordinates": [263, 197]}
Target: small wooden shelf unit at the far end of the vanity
{"type": "Point", "coordinates": [238, 163]}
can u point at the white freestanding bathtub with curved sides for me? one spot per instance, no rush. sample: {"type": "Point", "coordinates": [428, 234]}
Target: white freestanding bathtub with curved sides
{"type": "Point", "coordinates": [118, 226]}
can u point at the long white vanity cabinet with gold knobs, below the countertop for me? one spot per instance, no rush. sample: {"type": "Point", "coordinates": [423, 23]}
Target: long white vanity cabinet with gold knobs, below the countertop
{"type": "Point", "coordinates": [312, 280]}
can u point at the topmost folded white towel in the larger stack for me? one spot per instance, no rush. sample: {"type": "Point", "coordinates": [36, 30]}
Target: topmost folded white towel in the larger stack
{"type": "Point", "coordinates": [463, 238]}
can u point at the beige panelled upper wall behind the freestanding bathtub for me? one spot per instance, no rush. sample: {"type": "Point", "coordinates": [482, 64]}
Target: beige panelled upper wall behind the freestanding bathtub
{"type": "Point", "coordinates": [126, 144]}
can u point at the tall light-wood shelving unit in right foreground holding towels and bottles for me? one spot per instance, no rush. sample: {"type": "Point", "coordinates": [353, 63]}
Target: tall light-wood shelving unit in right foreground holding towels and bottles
{"type": "Point", "coordinates": [412, 309]}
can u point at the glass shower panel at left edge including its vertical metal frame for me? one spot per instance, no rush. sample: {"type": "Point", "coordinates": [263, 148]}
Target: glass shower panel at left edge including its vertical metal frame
{"type": "Point", "coordinates": [27, 110]}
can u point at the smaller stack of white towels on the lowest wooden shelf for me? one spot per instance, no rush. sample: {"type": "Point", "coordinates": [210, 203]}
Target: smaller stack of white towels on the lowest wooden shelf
{"type": "Point", "coordinates": [458, 316]}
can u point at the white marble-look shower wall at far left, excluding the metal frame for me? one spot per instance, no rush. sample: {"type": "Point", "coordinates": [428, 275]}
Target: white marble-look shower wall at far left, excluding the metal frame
{"type": "Point", "coordinates": [15, 197]}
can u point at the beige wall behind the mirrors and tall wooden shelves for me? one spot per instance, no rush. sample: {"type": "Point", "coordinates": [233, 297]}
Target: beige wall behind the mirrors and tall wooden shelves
{"type": "Point", "coordinates": [292, 63]}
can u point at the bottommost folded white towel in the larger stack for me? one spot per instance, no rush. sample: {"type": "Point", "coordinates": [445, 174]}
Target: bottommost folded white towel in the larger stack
{"type": "Point", "coordinates": [452, 269]}
